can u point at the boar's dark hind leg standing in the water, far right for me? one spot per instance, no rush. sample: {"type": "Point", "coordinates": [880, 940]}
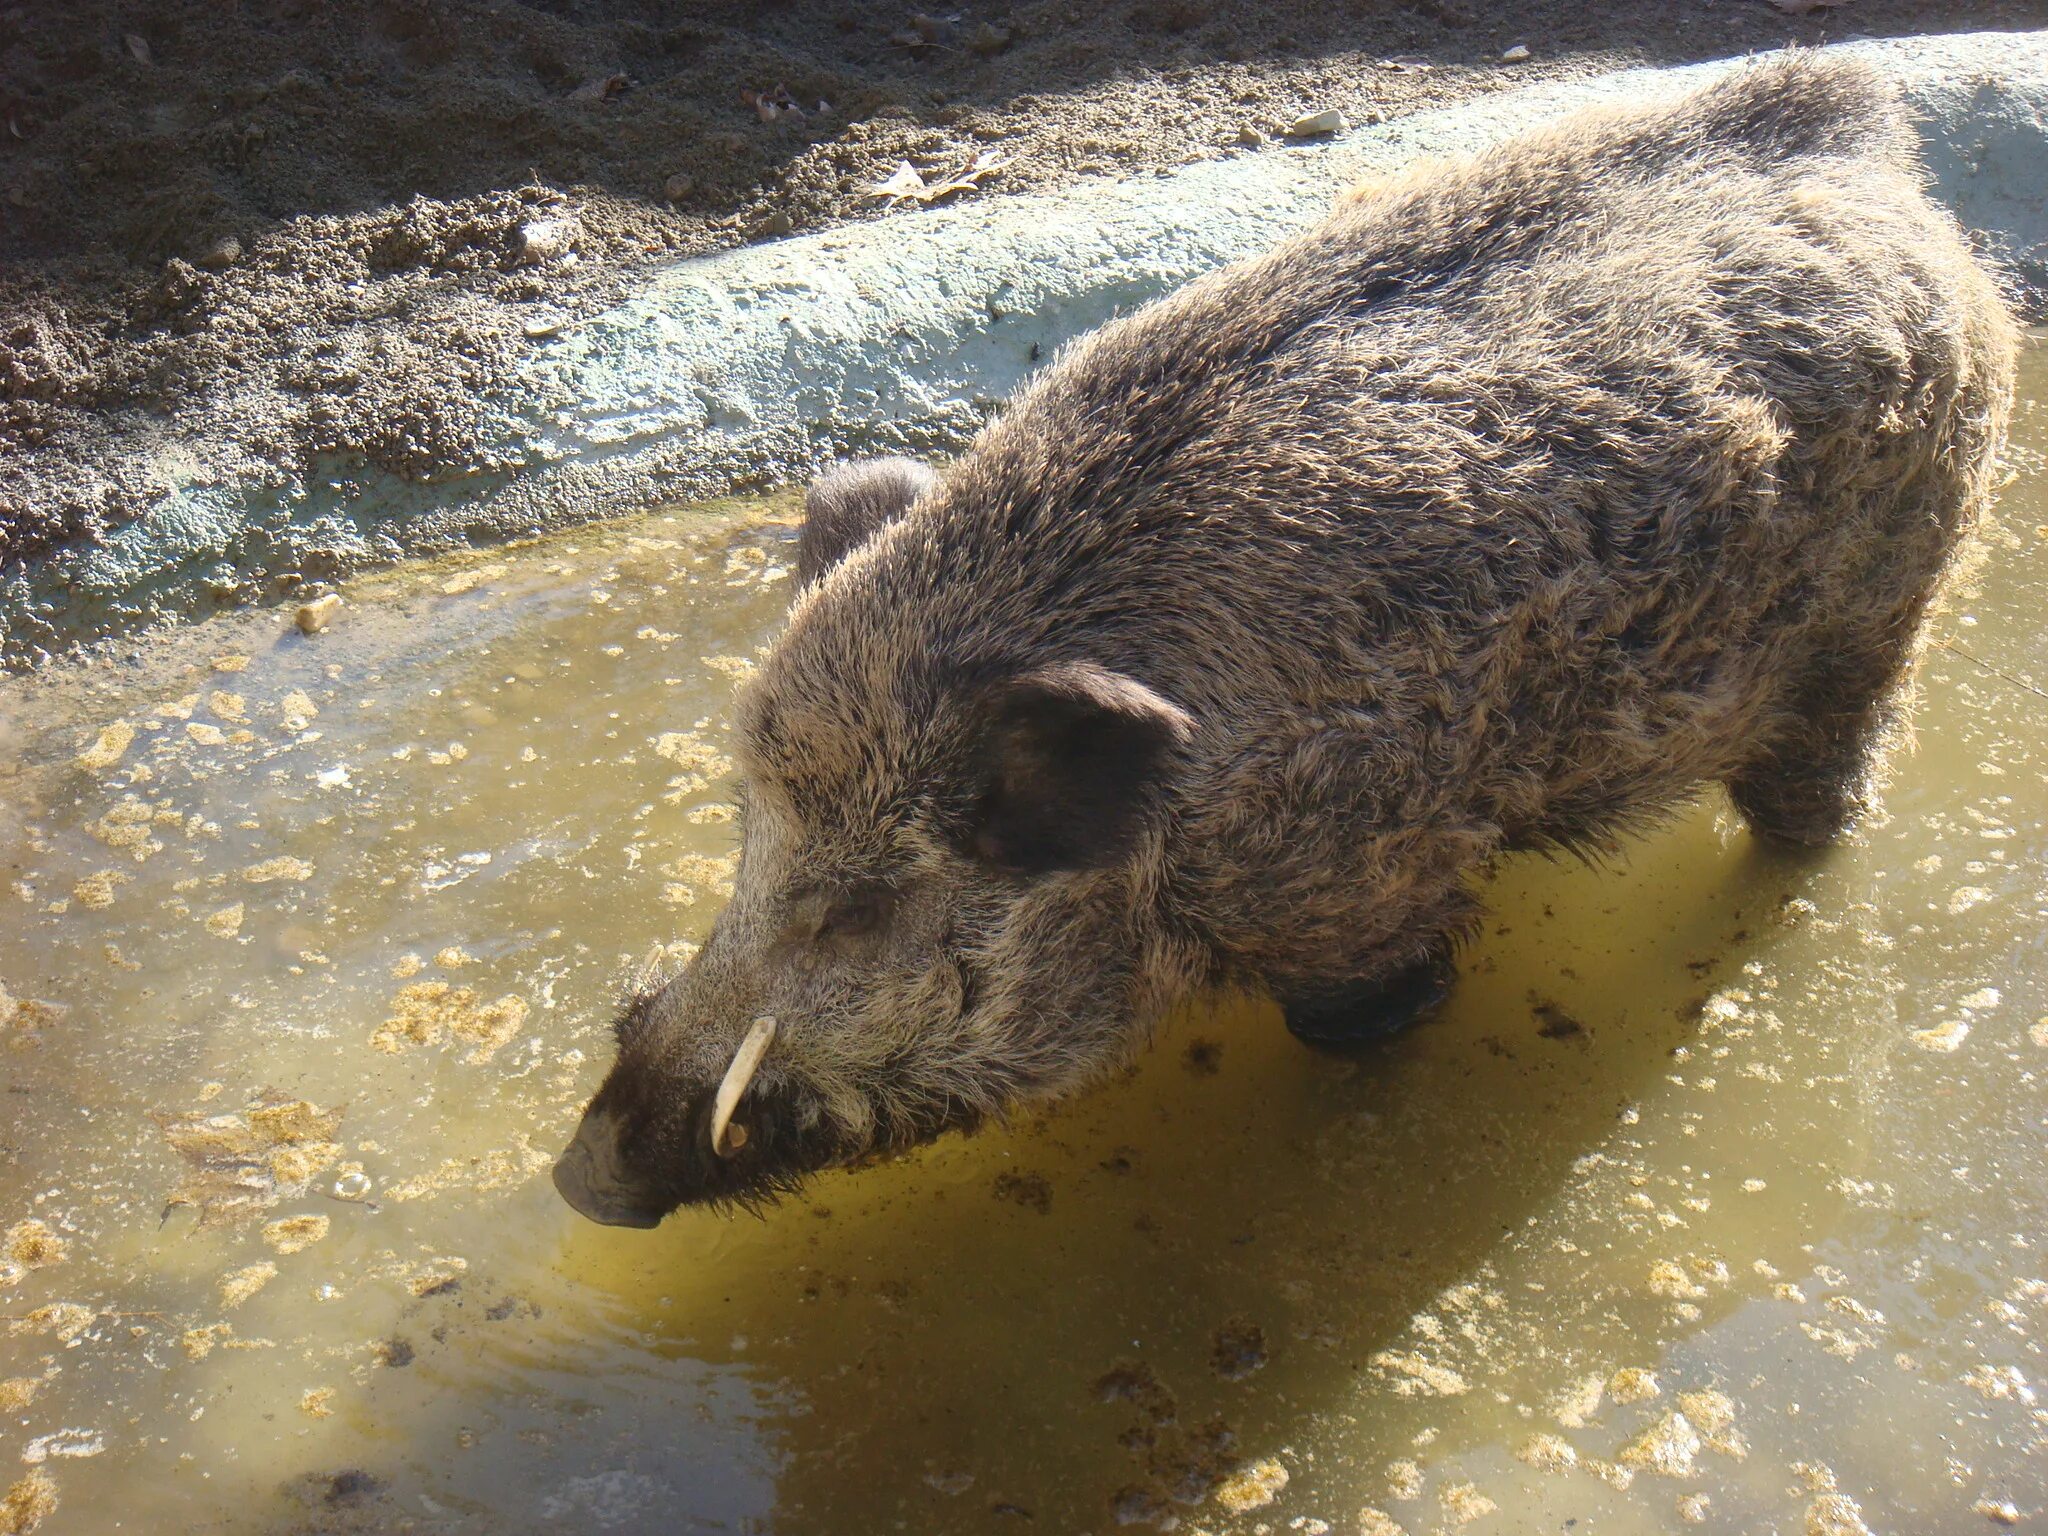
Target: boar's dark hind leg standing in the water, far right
{"type": "Point", "coordinates": [1814, 781]}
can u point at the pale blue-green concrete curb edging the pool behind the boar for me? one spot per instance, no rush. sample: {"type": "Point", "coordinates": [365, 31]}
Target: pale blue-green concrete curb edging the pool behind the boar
{"type": "Point", "coordinates": [753, 368]}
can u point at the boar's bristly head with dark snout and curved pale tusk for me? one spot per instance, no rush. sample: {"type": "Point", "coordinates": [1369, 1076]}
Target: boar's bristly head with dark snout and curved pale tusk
{"type": "Point", "coordinates": [947, 902]}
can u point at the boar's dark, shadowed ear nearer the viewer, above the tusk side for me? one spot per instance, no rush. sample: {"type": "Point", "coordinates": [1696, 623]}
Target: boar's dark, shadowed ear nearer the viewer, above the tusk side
{"type": "Point", "coordinates": [1068, 767]}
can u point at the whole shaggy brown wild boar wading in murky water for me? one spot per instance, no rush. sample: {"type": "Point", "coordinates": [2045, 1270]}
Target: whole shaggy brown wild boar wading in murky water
{"type": "Point", "coordinates": [1504, 509]}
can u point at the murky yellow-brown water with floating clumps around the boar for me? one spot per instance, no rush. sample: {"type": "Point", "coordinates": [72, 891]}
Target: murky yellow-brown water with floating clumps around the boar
{"type": "Point", "coordinates": [1717, 1199]}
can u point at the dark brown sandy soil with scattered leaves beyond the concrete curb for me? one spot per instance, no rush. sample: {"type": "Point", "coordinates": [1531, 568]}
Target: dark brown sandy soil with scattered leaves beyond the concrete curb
{"type": "Point", "coordinates": [321, 226]}
